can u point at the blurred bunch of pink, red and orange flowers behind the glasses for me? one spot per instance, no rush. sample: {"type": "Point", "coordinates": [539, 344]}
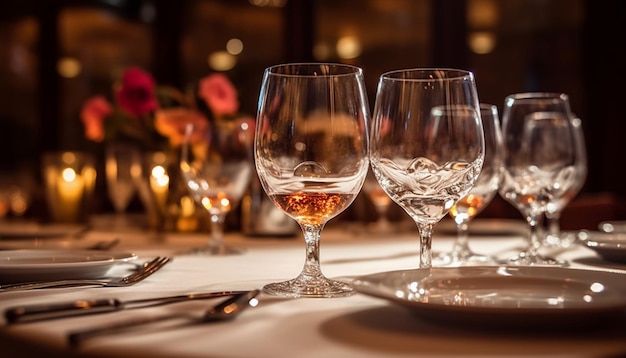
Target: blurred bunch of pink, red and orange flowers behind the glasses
{"type": "Point", "coordinates": [155, 116]}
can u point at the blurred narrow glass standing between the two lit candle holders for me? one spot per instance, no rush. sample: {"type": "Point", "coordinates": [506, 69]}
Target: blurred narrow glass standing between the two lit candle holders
{"type": "Point", "coordinates": [122, 165]}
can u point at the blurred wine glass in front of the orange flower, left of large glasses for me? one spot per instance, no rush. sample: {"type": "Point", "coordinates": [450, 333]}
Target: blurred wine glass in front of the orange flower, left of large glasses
{"type": "Point", "coordinates": [216, 165]}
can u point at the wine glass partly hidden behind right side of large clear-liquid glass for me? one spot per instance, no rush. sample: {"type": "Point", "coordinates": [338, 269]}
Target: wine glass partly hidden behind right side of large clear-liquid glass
{"type": "Point", "coordinates": [481, 194]}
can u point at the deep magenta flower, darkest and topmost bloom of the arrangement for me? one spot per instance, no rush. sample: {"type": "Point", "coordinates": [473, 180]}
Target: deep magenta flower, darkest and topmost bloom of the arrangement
{"type": "Point", "coordinates": [136, 92]}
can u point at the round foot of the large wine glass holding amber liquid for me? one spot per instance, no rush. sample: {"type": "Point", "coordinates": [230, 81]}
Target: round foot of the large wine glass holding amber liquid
{"type": "Point", "coordinates": [314, 287]}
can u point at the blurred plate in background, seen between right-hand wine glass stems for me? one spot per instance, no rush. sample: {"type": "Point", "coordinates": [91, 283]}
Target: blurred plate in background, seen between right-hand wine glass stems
{"type": "Point", "coordinates": [486, 227]}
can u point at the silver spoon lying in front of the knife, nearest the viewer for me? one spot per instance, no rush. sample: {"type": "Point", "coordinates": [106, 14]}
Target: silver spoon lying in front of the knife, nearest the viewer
{"type": "Point", "coordinates": [223, 311]}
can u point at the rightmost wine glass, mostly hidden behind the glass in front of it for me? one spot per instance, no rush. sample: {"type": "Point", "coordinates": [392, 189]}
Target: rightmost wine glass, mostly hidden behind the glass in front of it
{"type": "Point", "coordinates": [555, 207]}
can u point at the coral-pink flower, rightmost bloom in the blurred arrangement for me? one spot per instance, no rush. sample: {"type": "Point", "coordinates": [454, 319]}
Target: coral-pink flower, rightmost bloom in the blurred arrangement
{"type": "Point", "coordinates": [219, 94]}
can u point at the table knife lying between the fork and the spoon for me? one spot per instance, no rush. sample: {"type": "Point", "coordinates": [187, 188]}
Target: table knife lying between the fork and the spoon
{"type": "Point", "coordinates": [37, 312]}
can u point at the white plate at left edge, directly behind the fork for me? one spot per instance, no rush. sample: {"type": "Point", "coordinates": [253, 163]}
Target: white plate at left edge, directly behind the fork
{"type": "Point", "coordinates": [39, 265]}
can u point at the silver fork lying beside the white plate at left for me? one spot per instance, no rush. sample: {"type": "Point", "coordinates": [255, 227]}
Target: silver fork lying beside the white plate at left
{"type": "Point", "coordinates": [139, 275]}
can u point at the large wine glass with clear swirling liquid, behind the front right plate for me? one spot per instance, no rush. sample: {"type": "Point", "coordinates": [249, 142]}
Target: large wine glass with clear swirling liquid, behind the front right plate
{"type": "Point", "coordinates": [427, 143]}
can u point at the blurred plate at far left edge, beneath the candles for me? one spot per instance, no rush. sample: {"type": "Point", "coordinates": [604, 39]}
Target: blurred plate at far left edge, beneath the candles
{"type": "Point", "coordinates": [31, 230]}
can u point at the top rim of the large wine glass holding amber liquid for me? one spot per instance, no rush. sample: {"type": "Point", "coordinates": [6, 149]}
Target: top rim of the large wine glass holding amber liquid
{"type": "Point", "coordinates": [313, 69]}
